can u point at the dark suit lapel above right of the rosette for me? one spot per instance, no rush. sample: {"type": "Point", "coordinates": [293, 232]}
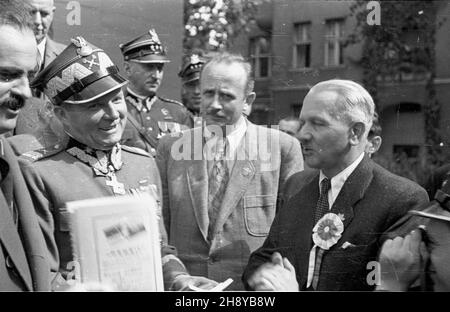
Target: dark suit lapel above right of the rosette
{"type": "Point", "coordinates": [353, 190]}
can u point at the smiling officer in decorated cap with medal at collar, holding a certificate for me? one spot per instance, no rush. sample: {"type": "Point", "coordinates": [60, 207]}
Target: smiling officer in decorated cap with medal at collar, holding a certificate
{"type": "Point", "coordinates": [85, 89]}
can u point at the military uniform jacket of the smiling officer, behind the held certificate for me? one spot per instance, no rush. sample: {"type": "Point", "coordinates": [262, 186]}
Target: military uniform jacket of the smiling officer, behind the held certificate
{"type": "Point", "coordinates": [55, 177]}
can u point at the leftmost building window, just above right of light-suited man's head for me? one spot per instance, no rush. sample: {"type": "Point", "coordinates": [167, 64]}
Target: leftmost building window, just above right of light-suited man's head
{"type": "Point", "coordinates": [260, 56]}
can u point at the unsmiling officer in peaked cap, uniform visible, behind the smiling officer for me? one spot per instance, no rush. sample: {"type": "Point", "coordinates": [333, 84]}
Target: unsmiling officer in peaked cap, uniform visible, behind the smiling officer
{"type": "Point", "coordinates": [150, 116]}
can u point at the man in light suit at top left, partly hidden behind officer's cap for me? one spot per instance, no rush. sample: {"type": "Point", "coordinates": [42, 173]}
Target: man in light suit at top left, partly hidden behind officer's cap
{"type": "Point", "coordinates": [37, 117]}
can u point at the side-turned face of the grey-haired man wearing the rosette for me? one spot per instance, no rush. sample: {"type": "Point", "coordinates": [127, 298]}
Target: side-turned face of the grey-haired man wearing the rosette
{"type": "Point", "coordinates": [324, 138]}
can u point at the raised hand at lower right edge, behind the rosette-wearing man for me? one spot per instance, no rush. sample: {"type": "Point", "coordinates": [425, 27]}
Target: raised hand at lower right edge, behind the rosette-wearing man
{"type": "Point", "coordinates": [400, 260]}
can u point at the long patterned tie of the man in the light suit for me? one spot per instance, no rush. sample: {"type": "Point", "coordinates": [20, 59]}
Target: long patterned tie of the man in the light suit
{"type": "Point", "coordinates": [218, 181]}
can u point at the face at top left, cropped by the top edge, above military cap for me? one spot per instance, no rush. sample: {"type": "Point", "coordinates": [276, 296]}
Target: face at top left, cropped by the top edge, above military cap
{"type": "Point", "coordinates": [42, 13]}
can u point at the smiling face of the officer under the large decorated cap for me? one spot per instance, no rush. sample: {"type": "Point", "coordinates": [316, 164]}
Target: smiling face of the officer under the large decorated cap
{"type": "Point", "coordinates": [99, 124]}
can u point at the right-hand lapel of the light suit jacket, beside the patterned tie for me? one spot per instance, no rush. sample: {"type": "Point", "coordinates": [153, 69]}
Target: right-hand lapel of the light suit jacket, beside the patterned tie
{"type": "Point", "coordinates": [240, 176]}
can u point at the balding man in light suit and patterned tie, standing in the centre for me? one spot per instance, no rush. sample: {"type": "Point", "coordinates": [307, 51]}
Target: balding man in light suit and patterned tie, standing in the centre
{"type": "Point", "coordinates": [219, 209]}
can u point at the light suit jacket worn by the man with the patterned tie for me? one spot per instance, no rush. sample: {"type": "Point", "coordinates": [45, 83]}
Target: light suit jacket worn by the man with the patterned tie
{"type": "Point", "coordinates": [248, 206]}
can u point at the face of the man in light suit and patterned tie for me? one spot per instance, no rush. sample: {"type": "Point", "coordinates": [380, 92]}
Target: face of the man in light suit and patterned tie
{"type": "Point", "coordinates": [223, 93]}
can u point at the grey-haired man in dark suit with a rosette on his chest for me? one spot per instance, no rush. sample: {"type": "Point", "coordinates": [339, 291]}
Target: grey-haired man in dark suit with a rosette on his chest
{"type": "Point", "coordinates": [327, 231]}
